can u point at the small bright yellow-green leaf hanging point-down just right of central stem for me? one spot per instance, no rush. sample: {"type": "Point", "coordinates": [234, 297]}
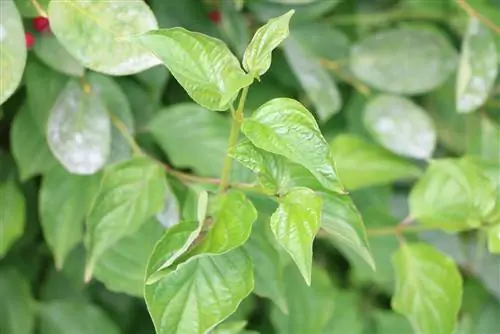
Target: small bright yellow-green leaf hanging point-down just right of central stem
{"type": "Point", "coordinates": [295, 224]}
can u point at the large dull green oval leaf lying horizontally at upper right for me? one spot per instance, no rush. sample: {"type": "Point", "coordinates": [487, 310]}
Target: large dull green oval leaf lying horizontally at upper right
{"type": "Point", "coordinates": [406, 60]}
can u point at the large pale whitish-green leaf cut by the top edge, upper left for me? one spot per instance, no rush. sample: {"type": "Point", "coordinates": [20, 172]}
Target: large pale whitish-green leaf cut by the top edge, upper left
{"type": "Point", "coordinates": [100, 34]}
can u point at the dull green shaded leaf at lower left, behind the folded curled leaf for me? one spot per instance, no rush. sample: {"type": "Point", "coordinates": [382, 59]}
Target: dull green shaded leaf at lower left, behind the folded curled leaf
{"type": "Point", "coordinates": [130, 255]}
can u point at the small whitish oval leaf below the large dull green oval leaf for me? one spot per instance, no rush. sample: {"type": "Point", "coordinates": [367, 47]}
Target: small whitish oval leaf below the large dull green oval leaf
{"type": "Point", "coordinates": [401, 126]}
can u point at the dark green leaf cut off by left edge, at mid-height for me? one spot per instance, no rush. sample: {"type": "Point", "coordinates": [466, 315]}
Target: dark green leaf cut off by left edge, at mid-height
{"type": "Point", "coordinates": [12, 214]}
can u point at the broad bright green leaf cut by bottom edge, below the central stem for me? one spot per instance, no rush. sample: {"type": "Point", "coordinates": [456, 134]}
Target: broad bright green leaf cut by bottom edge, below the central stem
{"type": "Point", "coordinates": [200, 293]}
